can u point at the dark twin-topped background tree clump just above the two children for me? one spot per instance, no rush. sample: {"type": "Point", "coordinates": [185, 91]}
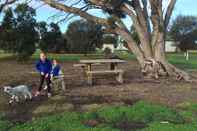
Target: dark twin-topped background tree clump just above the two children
{"type": "Point", "coordinates": [52, 39]}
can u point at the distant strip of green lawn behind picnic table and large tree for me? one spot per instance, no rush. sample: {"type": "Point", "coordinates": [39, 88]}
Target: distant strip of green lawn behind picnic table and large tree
{"type": "Point", "coordinates": [177, 59]}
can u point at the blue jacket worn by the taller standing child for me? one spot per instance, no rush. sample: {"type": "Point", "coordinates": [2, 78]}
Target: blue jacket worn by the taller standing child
{"type": "Point", "coordinates": [45, 66]}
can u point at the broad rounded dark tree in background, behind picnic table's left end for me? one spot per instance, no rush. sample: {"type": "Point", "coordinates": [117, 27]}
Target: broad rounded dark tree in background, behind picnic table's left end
{"type": "Point", "coordinates": [83, 36]}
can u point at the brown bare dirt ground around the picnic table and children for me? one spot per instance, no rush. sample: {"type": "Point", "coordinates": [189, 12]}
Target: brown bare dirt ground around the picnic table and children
{"type": "Point", "coordinates": [81, 97]}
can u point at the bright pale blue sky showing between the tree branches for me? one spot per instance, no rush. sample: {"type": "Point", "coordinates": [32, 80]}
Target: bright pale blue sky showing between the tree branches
{"type": "Point", "coordinates": [45, 13]}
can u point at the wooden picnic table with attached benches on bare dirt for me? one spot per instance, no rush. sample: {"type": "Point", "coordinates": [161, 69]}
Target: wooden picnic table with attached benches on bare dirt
{"type": "Point", "coordinates": [87, 66]}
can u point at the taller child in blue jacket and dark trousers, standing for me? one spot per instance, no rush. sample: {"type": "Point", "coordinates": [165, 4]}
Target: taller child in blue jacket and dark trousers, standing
{"type": "Point", "coordinates": [44, 67]}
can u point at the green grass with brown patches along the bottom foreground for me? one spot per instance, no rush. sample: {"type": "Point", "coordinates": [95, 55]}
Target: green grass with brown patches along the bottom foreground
{"type": "Point", "coordinates": [142, 116]}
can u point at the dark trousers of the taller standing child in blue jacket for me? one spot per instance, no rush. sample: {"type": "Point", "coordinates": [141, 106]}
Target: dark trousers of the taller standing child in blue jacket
{"type": "Point", "coordinates": [48, 81]}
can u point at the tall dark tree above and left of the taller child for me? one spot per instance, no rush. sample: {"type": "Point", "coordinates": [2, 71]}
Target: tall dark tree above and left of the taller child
{"type": "Point", "coordinates": [27, 35]}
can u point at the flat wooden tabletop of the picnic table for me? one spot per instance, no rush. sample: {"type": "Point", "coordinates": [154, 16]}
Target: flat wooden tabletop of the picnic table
{"type": "Point", "coordinates": [102, 61]}
